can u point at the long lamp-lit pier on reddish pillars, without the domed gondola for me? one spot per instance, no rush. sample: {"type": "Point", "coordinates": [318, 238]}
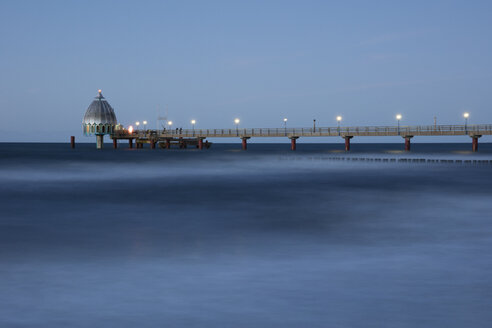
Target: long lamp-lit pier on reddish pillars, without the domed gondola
{"type": "Point", "coordinates": [184, 138]}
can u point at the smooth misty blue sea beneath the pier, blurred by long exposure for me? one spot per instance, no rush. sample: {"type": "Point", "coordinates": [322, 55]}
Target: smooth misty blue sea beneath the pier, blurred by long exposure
{"type": "Point", "coordinates": [268, 237]}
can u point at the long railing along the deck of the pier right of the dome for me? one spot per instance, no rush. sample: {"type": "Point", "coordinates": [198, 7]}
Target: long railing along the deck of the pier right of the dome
{"type": "Point", "coordinates": [424, 130]}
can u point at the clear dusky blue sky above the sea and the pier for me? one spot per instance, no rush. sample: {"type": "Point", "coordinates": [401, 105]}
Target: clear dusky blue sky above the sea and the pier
{"type": "Point", "coordinates": [260, 61]}
